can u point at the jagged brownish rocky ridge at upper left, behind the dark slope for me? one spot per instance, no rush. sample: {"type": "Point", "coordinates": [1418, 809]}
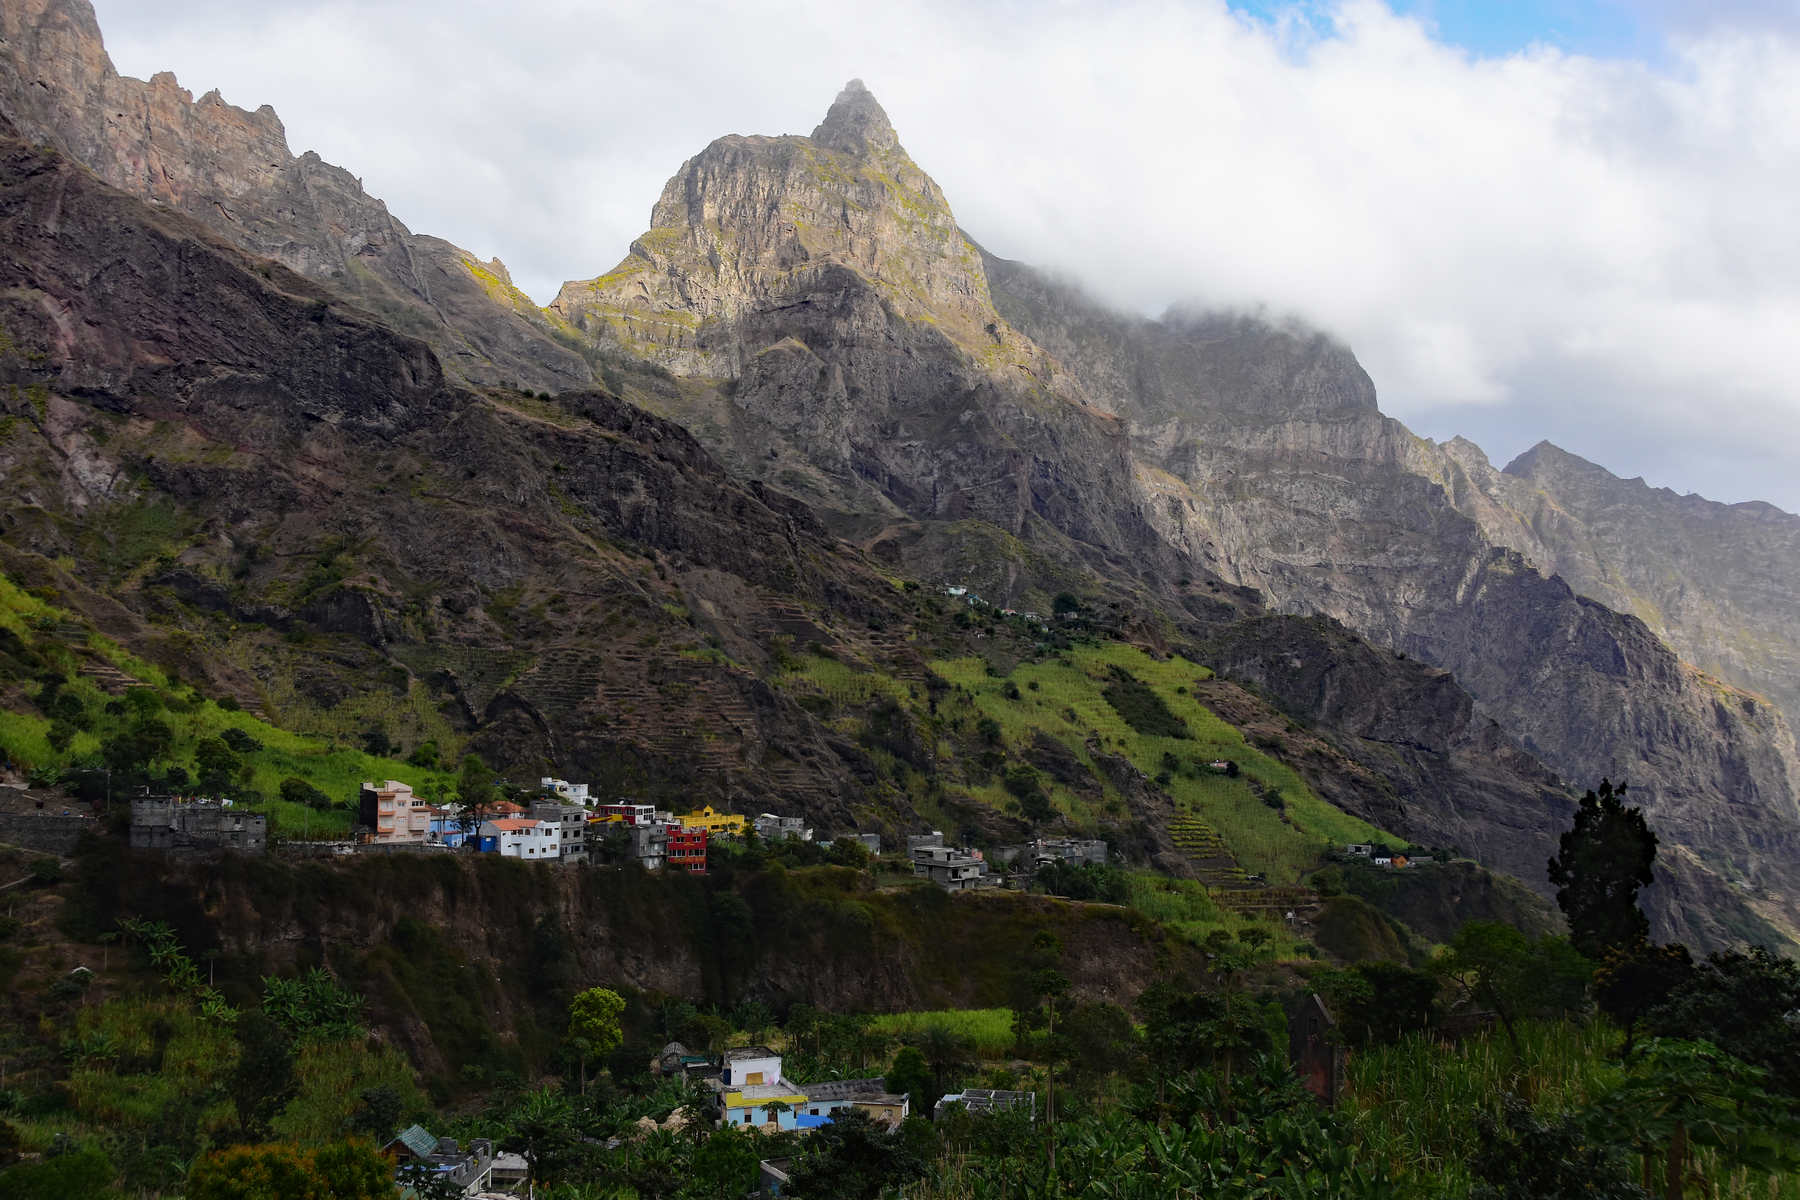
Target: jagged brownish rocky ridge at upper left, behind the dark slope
{"type": "Point", "coordinates": [231, 170]}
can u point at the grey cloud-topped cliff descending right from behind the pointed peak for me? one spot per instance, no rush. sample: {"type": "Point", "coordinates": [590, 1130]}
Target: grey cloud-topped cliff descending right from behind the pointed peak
{"type": "Point", "coordinates": [1272, 463]}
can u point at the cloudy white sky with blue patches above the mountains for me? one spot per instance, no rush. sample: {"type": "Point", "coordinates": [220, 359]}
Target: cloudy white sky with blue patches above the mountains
{"type": "Point", "coordinates": [1565, 220]}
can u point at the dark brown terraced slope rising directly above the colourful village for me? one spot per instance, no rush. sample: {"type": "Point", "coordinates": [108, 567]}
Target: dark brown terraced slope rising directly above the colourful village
{"type": "Point", "coordinates": [276, 497]}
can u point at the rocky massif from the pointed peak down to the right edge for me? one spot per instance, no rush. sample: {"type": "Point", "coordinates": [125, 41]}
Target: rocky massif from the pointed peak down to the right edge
{"type": "Point", "coordinates": [816, 274]}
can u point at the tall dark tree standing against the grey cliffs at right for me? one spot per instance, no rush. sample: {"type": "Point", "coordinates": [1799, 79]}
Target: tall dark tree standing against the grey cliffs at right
{"type": "Point", "coordinates": [1601, 866]}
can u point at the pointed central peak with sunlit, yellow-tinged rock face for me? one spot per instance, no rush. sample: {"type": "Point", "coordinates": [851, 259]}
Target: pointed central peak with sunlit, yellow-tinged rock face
{"type": "Point", "coordinates": [836, 334]}
